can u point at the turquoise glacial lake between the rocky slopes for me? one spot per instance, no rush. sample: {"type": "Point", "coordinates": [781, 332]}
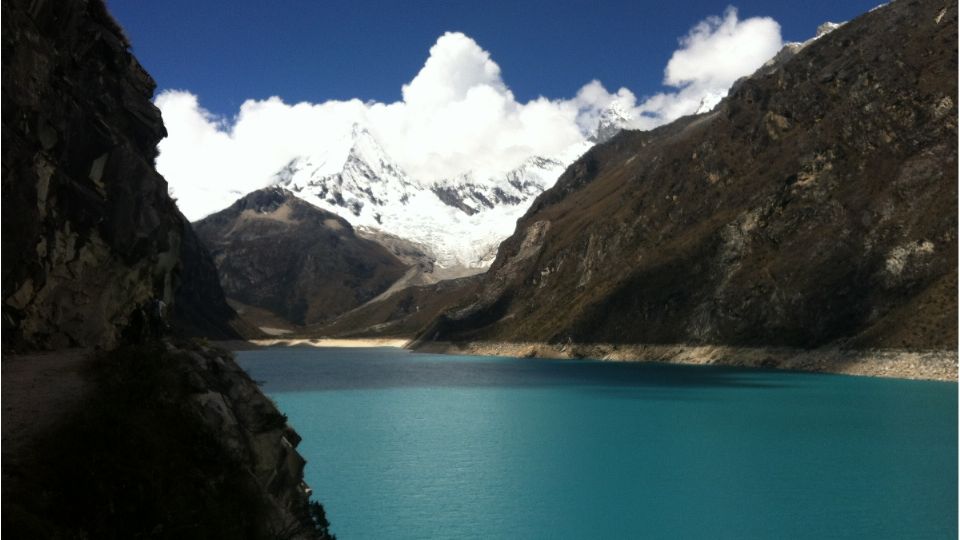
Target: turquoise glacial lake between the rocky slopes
{"type": "Point", "coordinates": [408, 445]}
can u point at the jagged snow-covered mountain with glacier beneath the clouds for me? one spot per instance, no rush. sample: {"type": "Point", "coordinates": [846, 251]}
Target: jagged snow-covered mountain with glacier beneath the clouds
{"type": "Point", "coordinates": [460, 220]}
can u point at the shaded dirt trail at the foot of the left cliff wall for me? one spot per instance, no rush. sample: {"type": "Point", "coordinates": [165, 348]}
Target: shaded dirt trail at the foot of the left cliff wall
{"type": "Point", "coordinates": [37, 391]}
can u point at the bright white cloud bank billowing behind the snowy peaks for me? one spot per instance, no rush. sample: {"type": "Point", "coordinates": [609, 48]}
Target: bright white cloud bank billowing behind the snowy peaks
{"type": "Point", "coordinates": [456, 115]}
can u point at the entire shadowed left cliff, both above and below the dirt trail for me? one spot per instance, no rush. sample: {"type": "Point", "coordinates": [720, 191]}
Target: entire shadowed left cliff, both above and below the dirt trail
{"type": "Point", "coordinates": [174, 440]}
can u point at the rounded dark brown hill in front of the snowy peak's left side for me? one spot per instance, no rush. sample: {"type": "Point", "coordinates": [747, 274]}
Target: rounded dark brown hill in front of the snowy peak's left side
{"type": "Point", "coordinates": [277, 252]}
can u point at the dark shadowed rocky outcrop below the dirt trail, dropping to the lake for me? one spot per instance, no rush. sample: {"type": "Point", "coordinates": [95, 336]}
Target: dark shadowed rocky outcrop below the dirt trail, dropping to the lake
{"type": "Point", "coordinates": [172, 440]}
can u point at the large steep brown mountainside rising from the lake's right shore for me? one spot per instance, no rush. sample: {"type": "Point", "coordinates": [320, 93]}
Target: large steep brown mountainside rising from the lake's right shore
{"type": "Point", "coordinates": [816, 205]}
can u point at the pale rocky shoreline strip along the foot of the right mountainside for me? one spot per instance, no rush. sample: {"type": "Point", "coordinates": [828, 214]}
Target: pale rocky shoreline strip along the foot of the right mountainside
{"type": "Point", "coordinates": [937, 365]}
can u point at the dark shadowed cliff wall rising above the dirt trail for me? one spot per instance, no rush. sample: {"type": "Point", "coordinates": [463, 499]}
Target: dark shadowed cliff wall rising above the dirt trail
{"type": "Point", "coordinates": [89, 231]}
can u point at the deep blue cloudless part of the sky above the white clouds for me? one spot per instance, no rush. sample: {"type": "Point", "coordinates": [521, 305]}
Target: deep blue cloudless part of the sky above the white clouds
{"type": "Point", "coordinates": [226, 51]}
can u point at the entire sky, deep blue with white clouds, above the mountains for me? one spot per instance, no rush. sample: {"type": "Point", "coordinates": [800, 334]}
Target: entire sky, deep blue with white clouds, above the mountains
{"type": "Point", "coordinates": [445, 88]}
